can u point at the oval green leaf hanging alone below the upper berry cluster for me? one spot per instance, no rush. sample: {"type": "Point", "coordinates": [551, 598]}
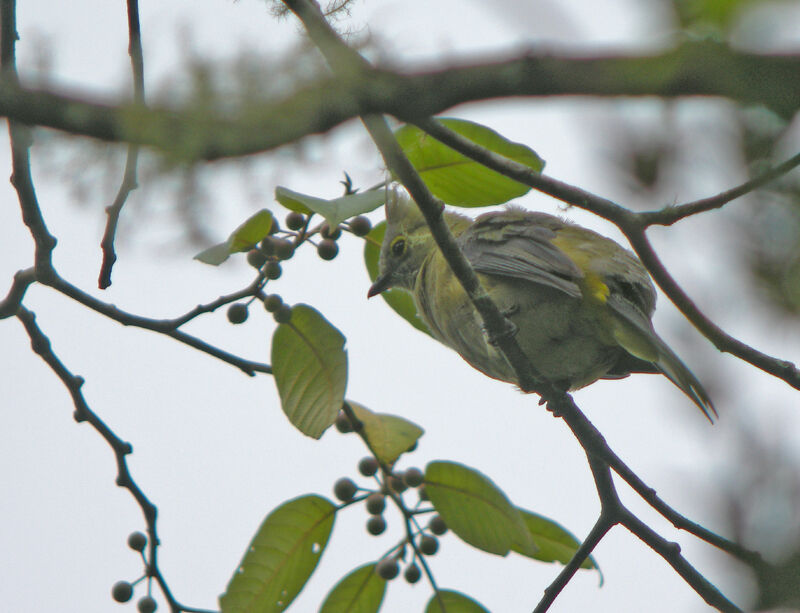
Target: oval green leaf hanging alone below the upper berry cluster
{"type": "Point", "coordinates": [309, 366]}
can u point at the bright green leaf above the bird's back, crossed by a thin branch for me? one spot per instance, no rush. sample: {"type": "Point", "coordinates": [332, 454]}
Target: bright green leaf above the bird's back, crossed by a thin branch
{"type": "Point", "coordinates": [457, 179]}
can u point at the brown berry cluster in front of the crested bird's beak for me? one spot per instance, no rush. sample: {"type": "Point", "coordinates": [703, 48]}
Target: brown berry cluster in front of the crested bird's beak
{"type": "Point", "coordinates": [281, 245]}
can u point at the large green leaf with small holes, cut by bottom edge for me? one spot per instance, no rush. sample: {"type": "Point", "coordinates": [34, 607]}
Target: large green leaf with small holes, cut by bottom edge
{"type": "Point", "coordinates": [281, 557]}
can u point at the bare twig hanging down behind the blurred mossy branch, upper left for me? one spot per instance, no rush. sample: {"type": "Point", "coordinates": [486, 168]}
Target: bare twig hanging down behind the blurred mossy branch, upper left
{"type": "Point", "coordinates": [129, 181]}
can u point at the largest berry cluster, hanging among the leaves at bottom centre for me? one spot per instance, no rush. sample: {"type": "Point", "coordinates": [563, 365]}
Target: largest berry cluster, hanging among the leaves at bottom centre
{"type": "Point", "coordinates": [392, 484]}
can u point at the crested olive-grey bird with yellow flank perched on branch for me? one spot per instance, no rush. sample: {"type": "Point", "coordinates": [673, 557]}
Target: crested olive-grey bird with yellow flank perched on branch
{"type": "Point", "coordinates": [580, 303]}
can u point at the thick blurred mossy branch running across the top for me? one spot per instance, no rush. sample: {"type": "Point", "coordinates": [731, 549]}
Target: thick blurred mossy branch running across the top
{"type": "Point", "coordinates": [692, 69]}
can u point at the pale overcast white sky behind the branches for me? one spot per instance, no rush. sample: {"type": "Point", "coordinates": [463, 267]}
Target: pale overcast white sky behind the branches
{"type": "Point", "coordinates": [212, 448]}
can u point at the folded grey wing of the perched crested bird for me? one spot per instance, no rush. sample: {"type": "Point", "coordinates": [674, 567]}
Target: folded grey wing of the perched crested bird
{"type": "Point", "coordinates": [511, 244]}
